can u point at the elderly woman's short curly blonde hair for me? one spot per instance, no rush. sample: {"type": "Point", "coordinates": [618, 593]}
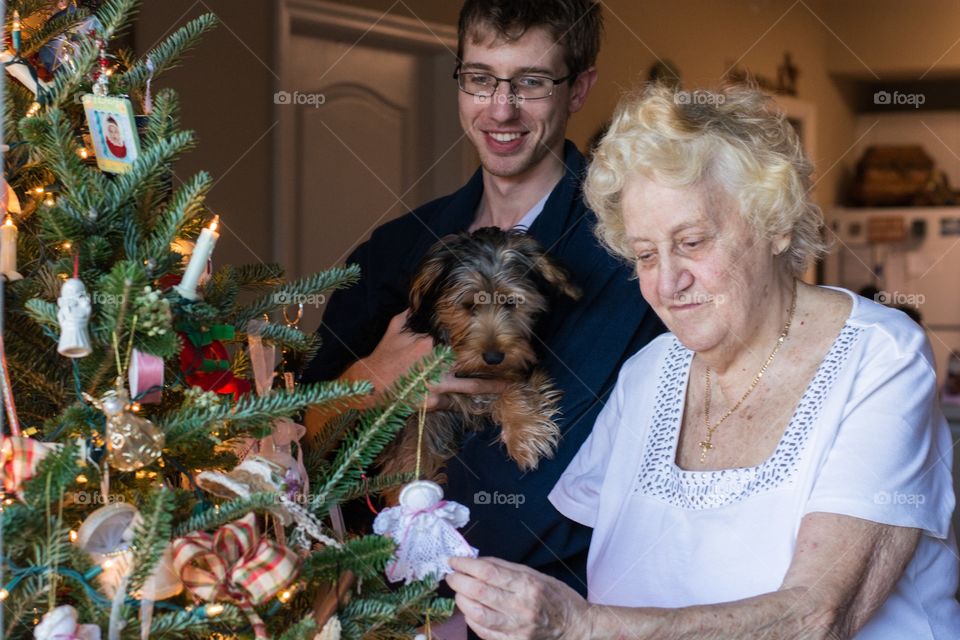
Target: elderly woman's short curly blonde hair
{"type": "Point", "coordinates": [732, 137]}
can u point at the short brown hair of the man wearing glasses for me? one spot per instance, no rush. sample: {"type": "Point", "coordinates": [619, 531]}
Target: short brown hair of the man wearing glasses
{"type": "Point", "coordinates": [576, 25]}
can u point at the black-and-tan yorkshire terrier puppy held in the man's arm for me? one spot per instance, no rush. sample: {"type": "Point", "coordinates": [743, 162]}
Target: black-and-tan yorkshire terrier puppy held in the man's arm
{"type": "Point", "coordinates": [482, 294]}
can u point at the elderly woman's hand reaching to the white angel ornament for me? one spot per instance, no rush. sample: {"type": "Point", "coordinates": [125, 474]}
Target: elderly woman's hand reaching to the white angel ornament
{"type": "Point", "coordinates": [505, 601]}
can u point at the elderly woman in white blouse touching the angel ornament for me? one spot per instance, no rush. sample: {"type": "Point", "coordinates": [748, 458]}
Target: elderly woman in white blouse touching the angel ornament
{"type": "Point", "coordinates": [777, 465]}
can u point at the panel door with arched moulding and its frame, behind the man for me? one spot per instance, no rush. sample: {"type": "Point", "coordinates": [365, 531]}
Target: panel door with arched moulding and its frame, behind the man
{"type": "Point", "coordinates": [368, 128]}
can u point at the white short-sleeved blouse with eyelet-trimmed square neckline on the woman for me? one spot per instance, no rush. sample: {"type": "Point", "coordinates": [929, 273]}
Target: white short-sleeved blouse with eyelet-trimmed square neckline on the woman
{"type": "Point", "coordinates": [867, 440]}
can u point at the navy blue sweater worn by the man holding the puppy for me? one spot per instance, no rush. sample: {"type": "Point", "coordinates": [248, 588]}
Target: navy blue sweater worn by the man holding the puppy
{"type": "Point", "coordinates": [584, 343]}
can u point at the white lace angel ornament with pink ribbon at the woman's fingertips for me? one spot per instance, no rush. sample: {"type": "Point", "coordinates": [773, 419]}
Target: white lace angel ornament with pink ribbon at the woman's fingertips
{"type": "Point", "coordinates": [424, 527]}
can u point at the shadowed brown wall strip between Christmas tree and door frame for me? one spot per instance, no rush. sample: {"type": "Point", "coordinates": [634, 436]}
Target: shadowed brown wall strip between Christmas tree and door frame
{"type": "Point", "coordinates": [226, 90]}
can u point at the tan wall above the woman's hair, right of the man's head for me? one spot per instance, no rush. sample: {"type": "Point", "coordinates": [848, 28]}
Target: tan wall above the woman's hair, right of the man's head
{"type": "Point", "coordinates": [702, 38]}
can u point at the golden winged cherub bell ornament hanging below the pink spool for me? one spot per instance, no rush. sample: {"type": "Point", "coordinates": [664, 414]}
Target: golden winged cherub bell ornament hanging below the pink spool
{"type": "Point", "coordinates": [132, 442]}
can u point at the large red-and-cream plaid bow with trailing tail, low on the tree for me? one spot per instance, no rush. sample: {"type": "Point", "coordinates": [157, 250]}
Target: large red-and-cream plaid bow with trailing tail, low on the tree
{"type": "Point", "coordinates": [235, 563]}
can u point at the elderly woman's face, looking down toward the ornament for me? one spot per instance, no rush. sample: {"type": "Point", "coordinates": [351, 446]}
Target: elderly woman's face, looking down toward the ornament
{"type": "Point", "coordinates": [700, 265]}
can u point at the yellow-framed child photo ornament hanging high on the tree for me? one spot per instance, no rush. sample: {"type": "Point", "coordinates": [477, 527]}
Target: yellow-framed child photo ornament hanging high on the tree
{"type": "Point", "coordinates": [112, 132]}
